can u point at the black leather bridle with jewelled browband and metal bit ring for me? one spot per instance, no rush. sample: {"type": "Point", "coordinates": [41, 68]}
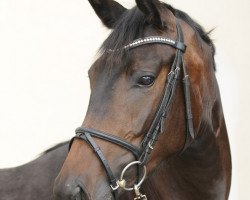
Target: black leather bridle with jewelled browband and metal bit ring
{"type": "Point", "coordinates": [142, 152]}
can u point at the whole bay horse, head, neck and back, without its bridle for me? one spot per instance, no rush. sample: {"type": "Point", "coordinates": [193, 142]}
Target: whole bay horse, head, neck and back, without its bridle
{"type": "Point", "coordinates": [180, 167]}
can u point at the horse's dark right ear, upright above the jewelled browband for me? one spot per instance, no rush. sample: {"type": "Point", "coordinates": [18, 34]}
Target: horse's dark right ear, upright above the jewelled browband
{"type": "Point", "coordinates": [152, 8]}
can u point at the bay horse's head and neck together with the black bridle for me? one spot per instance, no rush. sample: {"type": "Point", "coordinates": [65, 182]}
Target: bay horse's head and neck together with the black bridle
{"type": "Point", "coordinates": [154, 128]}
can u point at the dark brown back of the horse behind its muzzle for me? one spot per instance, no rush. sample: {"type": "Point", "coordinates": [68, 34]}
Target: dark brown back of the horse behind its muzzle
{"type": "Point", "coordinates": [35, 179]}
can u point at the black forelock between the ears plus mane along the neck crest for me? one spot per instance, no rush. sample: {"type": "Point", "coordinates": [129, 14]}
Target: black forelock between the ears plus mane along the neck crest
{"type": "Point", "coordinates": [131, 26]}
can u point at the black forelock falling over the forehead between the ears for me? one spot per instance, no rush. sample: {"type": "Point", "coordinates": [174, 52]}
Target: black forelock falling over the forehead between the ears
{"type": "Point", "coordinates": [129, 27]}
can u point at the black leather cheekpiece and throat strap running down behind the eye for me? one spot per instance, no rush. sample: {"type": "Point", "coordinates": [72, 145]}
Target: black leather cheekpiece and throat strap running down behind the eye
{"type": "Point", "coordinates": [157, 125]}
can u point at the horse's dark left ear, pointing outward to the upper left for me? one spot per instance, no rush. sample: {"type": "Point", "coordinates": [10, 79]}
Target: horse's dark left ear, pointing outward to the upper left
{"type": "Point", "coordinates": [108, 11]}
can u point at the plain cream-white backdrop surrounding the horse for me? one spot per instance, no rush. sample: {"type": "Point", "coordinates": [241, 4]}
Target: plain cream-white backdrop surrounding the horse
{"type": "Point", "coordinates": [47, 46]}
